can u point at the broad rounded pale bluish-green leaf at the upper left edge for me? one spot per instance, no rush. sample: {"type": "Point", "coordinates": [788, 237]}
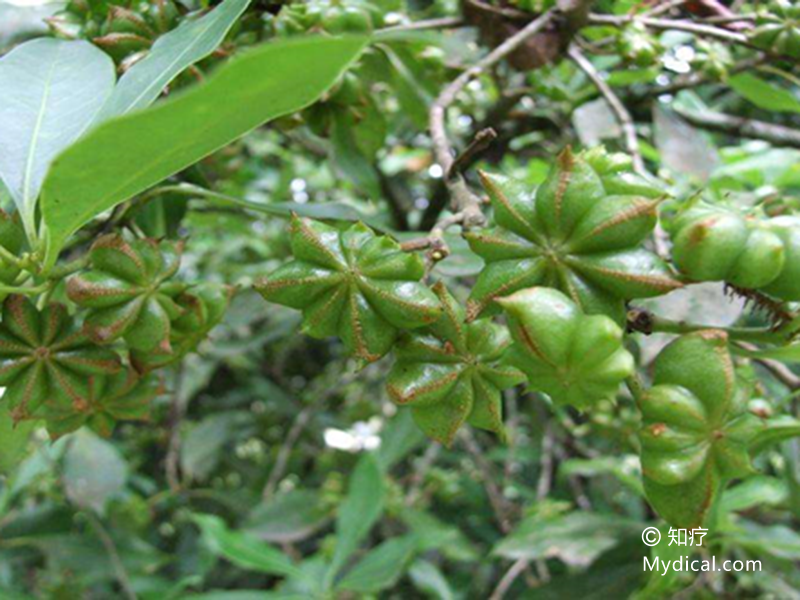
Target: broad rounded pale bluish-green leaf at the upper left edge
{"type": "Point", "coordinates": [50, 91]}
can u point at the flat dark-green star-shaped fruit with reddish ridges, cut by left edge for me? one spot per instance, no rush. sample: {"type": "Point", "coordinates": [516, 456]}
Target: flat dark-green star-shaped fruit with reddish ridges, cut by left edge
{"type": "Point", "coordinates": [46, 361]}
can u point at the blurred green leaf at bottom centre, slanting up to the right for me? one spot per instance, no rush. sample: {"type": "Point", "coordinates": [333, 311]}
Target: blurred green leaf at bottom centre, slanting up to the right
{"type": "Point", "coordinates": [380, 568]}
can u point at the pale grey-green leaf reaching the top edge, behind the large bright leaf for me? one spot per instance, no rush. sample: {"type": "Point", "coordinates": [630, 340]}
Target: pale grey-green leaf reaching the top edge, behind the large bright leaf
{"type": "Point", "coordinates": [169, 56]}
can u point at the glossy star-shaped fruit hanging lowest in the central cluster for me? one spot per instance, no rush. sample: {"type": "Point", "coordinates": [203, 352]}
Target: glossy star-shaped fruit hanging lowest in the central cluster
{"type": "Point", "coordinates": [449, 373]}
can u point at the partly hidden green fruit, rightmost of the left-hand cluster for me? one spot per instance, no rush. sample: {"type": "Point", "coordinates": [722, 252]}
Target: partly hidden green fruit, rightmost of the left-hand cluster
{"type": "Point", "coordinates": [203, 307]}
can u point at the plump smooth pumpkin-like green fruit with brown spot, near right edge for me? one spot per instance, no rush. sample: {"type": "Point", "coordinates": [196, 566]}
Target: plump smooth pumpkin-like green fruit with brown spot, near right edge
{"type": "Point", "coordinates": [715, 244]}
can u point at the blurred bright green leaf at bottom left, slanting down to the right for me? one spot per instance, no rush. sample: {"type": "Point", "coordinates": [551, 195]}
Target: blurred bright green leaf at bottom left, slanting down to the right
{"type": "Point", "coordinates": [243, 550]}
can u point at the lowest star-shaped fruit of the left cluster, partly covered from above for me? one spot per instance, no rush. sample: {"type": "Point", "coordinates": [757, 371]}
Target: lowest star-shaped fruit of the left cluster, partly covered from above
{"type": "Point", "coordinates": [124, 396]}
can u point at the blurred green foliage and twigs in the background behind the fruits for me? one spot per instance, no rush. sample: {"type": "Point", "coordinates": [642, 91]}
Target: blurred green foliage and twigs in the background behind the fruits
{"type": "Point", "coordinates": [271, 467]}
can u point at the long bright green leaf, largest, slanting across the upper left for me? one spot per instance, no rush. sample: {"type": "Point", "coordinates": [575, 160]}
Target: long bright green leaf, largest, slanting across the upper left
{"type": "Point", "coordinates": [127, 155]}
